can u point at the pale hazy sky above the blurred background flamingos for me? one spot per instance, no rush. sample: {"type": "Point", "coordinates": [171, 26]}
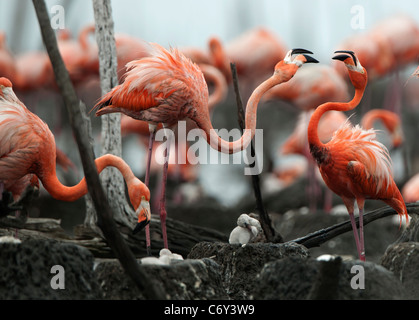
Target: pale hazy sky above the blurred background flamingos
{"type": "Point", "coordinates": [317, 25]}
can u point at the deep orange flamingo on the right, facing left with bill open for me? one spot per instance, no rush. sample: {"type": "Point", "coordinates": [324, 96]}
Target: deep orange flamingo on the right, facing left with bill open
{"type": "Point", "coordinates": [354, 165]}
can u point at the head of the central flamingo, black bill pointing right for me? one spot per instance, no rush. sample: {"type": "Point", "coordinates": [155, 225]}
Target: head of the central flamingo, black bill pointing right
{"type": "Point", "coordinates": [293, 60]}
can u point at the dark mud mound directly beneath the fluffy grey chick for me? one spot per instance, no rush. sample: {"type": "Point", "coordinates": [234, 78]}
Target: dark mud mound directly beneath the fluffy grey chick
{"type": "Point", "coordinates": [241, 264]}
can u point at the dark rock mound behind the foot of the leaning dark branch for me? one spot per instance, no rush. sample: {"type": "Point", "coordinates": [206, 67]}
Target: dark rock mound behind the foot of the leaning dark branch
{"type": "Point", "coordinates": [181, 280]}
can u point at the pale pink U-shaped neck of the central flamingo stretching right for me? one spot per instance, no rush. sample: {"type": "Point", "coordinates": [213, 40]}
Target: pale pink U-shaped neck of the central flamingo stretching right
{"type": "Point", "coordinates": [216, 142]}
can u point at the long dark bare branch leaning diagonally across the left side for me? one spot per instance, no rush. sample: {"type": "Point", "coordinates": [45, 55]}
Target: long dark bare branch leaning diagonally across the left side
{"type": "Point", "coordinates": [78, 124]}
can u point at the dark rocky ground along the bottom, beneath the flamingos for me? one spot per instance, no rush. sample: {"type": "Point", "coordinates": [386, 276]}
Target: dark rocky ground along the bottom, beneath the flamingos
{"type": "Point", "coordinates": [216, 270]}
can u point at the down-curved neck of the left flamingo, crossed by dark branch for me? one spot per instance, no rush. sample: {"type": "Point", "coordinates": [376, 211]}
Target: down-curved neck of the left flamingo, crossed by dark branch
{"type": "Point", "coordinates": [61, 192]}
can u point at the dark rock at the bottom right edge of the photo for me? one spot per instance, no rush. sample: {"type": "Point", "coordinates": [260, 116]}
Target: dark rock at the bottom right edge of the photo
{"type": "Point", "coordinates": [403, 260]}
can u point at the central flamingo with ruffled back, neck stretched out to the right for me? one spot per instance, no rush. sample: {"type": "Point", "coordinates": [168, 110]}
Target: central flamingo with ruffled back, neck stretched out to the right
{"type": "Point", "coordinates": [166, 87]}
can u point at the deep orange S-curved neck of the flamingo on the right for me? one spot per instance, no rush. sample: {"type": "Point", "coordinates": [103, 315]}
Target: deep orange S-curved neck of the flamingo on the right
{"type": "Point", "coordinates": [313, 137]}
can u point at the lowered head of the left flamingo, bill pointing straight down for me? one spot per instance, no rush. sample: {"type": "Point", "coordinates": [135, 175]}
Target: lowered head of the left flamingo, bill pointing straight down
{"type": "Point", "coordinates": [139, 195]}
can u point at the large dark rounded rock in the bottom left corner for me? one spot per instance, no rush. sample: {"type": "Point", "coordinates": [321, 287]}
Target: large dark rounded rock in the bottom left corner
{"type": "Point", "coordinates": [25, 271]}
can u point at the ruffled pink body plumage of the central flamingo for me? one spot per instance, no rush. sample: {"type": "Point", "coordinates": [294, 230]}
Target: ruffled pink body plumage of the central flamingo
{"type": "Point", "coordinates": [157, 88]}
